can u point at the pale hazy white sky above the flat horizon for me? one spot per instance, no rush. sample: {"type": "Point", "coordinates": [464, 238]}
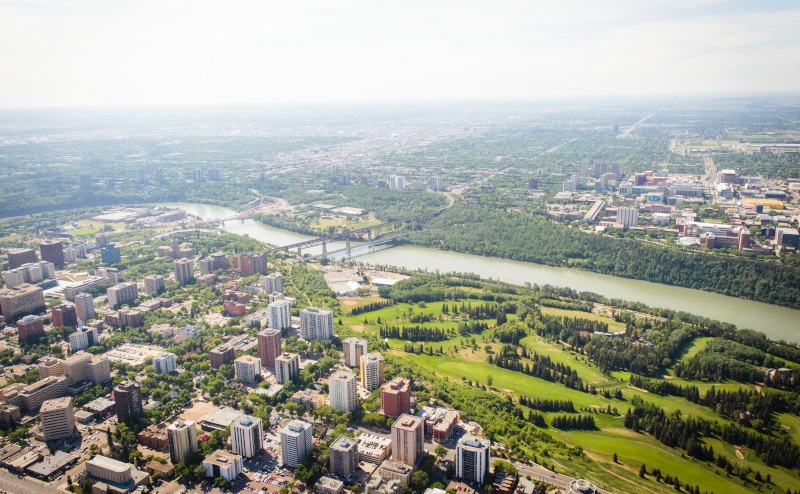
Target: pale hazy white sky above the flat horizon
{"type": "Point", "coordinates": [112, 52]}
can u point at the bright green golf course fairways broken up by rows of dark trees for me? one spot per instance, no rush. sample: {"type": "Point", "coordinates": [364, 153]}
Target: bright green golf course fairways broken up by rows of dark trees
{"type": "Point", "coordinates": [463, 362]}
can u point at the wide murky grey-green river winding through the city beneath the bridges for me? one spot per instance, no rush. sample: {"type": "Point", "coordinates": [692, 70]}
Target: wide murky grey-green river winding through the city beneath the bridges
{"type": "Point", "coordinates": [775, 321]}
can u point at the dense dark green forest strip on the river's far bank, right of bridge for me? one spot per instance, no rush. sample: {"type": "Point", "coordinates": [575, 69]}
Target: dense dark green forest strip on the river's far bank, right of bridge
{"type": "Point", "coordinates": [491, 232]}
